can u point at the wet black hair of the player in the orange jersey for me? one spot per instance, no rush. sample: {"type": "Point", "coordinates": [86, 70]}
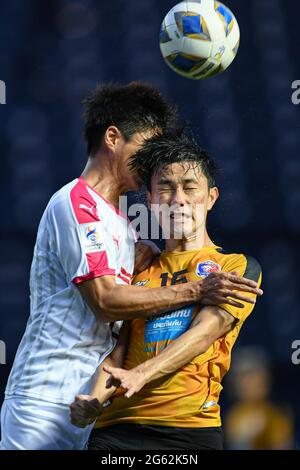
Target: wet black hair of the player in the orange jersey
{"type": "Point", "coordinates": [172, 147]}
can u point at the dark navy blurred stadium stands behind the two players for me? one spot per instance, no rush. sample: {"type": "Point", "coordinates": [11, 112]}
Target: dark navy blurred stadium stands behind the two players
{"type": "Point", "coordinates": [52, 53]}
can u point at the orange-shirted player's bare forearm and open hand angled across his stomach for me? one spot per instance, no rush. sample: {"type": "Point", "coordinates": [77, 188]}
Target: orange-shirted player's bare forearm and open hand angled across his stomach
{"type": "Point", "coordinates": [210, 324]}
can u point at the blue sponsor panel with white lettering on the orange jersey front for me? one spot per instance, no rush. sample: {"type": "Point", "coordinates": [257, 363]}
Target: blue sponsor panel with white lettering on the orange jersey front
{"type": "Point", "coordinates": [168, 326]}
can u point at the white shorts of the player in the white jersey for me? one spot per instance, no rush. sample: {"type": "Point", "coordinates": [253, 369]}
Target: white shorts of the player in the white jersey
{"type": "Point", "coordinates": [32, 424]}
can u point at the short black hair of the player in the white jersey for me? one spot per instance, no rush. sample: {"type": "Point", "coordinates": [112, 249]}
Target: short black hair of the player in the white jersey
{"type": "Point", "coordinates": [136, 107]}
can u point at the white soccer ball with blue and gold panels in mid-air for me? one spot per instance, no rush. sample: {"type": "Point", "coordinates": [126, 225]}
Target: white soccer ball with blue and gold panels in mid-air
{"type": "Point", "coordinates": [199, 39]}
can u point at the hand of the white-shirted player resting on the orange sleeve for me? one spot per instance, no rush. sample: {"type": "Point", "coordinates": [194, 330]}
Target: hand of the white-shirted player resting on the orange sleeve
{"type": "Point", "coordinates": [222, 288]}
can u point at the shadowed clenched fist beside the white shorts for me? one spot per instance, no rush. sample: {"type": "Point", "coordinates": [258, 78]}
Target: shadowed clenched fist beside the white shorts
{"type": "Point", "coordinates": [84, 410]}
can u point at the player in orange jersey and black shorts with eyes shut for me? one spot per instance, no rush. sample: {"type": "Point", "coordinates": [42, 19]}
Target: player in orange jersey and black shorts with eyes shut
{"type": "Point", "coordinates": [170, 381]}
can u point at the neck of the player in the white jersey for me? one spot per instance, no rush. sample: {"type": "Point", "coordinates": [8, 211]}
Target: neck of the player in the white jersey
{"type": "Point", "coordinates": [102, 175]}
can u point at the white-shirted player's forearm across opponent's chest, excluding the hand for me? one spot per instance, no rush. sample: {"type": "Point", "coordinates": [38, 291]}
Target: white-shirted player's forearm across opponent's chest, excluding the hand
{"type": "Point", "coordinates": [125, 303]}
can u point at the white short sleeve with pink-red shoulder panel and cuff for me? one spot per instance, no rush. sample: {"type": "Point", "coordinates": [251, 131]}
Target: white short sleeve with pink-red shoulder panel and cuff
{"type": "Point", "coordinates": [81, 241]}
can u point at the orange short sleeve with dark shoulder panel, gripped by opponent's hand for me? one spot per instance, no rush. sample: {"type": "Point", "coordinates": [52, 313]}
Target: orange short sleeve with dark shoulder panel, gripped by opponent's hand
{"type": "Point", "coordinates": [248, 267]}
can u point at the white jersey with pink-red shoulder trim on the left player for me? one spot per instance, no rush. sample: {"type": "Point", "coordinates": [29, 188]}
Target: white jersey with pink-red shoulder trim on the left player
{"type": "Point", "coordinates": [81, 236]}
